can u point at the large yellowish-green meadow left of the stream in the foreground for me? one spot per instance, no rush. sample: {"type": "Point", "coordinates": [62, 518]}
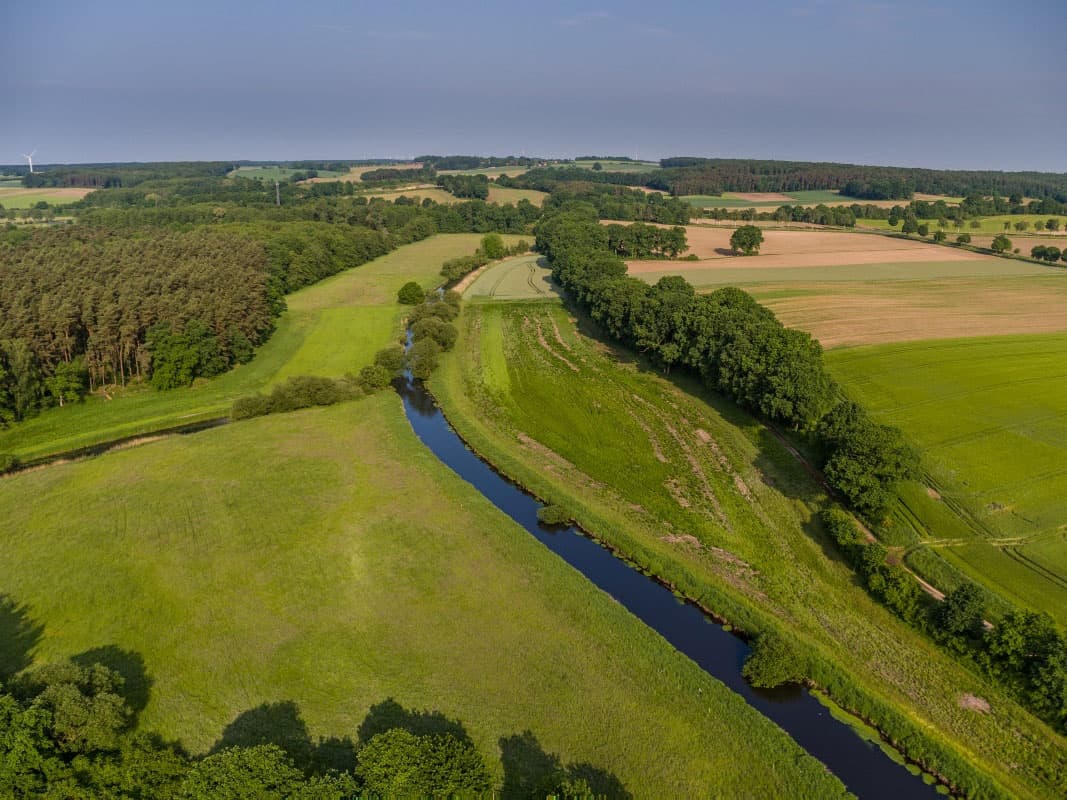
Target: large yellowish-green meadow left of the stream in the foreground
{"type": "Point", "coordinates": [263, 570]}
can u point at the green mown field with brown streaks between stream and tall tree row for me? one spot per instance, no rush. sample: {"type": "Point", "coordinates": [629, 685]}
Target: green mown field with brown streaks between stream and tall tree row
{"type": "Point", "coordinates": [711, 501]}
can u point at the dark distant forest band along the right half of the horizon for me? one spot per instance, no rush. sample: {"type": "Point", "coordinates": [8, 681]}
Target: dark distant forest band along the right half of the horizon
{"type": "Point", "coordinates": [681, 177]}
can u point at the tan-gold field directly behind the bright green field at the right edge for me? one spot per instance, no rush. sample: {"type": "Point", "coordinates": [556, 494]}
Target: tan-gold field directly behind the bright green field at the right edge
{"type": "Point", "coordinates": [872, 313]}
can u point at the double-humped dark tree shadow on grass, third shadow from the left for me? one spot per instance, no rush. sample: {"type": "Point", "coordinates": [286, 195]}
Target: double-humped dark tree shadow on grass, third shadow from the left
{"type": "Point", "coordinates": [282, 725]}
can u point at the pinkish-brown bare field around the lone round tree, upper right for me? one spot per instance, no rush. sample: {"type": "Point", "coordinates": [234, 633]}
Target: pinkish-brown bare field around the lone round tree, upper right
{"type": "Point", "coordinates": [806, 249]}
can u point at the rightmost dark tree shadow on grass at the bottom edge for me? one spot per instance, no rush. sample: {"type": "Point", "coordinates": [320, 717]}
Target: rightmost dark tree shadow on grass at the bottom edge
{"type": "Point", "coordinates": [531, 772]}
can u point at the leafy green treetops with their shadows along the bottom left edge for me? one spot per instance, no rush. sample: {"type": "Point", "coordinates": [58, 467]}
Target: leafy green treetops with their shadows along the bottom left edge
{"type": "Point", "coordinates": [69, 730]}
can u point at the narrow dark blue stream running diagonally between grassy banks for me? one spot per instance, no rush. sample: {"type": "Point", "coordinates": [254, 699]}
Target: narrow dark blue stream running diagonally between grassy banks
{"type": "Point", "coordinates": [862, 766]}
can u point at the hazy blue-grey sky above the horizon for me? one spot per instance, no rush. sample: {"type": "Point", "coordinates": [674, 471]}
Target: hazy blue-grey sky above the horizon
{"type": "Point", "coordinates": [938, 84]}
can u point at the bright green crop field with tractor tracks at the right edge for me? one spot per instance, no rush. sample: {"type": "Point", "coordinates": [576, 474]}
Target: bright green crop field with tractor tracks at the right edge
{"type": "Point", "coordinates": [991, 419]}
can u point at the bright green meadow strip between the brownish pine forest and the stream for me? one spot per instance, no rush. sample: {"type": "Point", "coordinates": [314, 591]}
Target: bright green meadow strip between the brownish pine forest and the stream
{"type": "Point", "coordinates": [332, 328]}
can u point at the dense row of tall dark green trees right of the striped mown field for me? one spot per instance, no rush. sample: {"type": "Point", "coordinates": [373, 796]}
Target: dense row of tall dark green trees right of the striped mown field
{"type": "Point", "coordinates": [737, 347]}
